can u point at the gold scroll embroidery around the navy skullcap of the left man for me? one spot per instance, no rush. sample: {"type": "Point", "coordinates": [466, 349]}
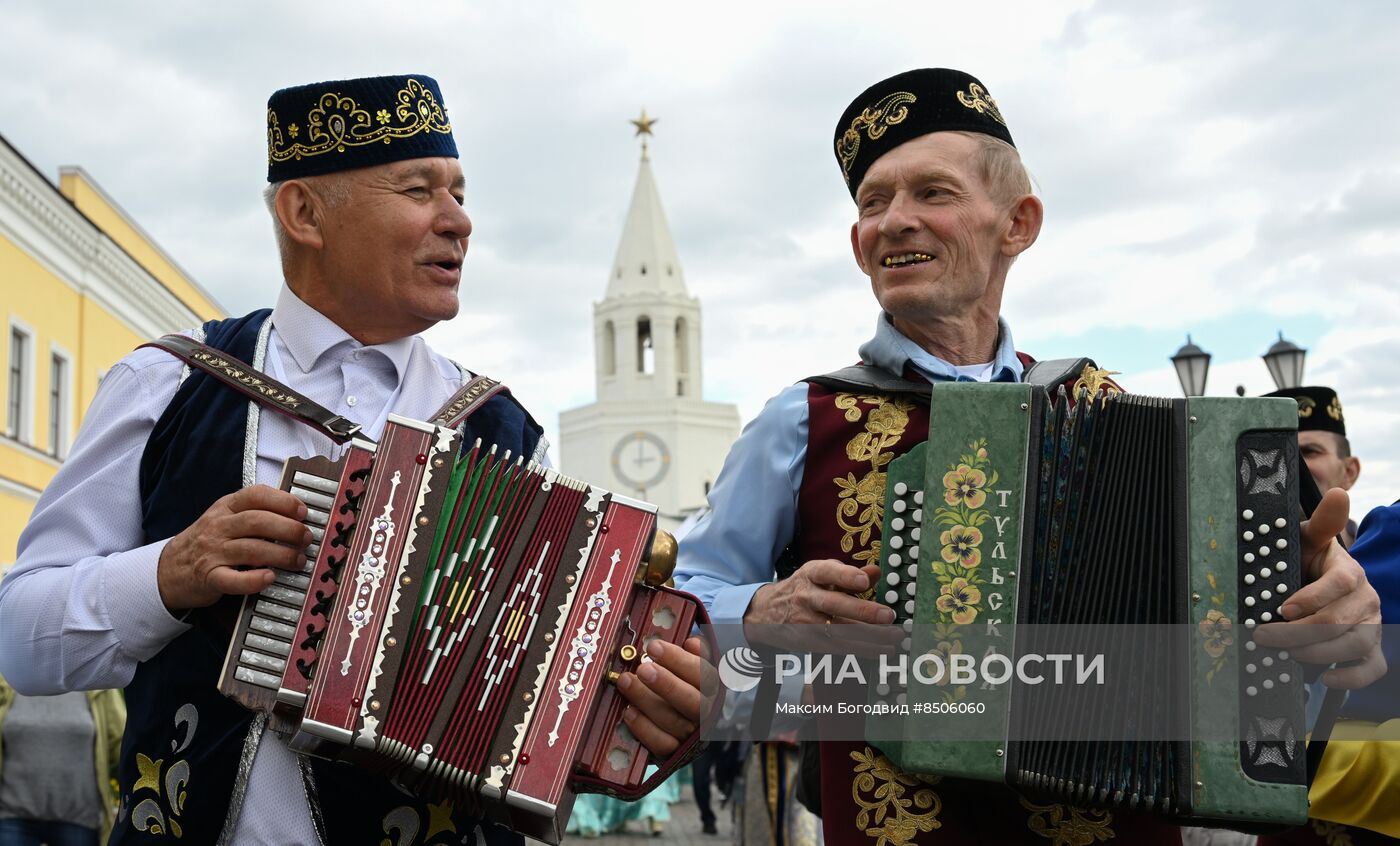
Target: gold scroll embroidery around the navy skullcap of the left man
{"type": "Point", "coordinates": [338, 123]}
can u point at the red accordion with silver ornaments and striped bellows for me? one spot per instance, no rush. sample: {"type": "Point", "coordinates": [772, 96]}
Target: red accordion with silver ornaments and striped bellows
{"type": "Point", "coordinates": [460, 624]}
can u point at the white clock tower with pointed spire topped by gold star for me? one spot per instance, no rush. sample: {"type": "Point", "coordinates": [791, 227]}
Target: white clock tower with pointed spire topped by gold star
{"type": "Point", "coordinates": [650, 434]}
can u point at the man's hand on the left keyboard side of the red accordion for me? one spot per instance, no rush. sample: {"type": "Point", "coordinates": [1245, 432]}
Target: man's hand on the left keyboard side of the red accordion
{"type": "Point", "coordinates": [232, 548]}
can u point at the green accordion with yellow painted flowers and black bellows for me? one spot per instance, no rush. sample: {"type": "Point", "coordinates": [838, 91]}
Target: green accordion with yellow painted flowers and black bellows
{"type": "Point", "coordinates": [1030, 523]}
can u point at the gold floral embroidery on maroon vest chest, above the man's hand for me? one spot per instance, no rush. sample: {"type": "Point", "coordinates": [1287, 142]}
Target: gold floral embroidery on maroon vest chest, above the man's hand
{"type": "Point", "coordinates": [860, 509]}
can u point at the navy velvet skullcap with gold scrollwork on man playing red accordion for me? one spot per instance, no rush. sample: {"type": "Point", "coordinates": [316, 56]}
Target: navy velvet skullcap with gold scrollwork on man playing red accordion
{"type": "Point", "coordinates": [355, 124]}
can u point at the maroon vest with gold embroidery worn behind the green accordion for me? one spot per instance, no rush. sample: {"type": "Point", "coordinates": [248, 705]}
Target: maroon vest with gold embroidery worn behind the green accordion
{"type": "Point", "coordinates": [866, 799]}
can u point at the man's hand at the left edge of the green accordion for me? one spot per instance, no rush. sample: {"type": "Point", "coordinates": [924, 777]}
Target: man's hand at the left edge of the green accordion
{"type": "Point", "coordinates": [786, 614]}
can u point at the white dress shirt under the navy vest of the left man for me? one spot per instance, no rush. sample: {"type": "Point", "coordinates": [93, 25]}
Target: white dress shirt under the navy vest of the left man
{"type": "Point", "coordinates": [80, 609]}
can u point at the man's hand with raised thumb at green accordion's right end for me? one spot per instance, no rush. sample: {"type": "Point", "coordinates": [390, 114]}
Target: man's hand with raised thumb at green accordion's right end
{"type": "Point", "coordinates": [1336, 616]}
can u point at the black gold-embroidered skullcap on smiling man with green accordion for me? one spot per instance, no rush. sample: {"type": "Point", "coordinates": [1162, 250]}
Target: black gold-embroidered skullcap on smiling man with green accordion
{"type": "Point", "coordinates": [908, 106]}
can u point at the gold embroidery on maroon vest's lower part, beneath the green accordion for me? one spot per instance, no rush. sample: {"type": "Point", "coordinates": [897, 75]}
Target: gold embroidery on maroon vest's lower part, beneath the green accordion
{"type": "Point", "coordinates": [885, 812]}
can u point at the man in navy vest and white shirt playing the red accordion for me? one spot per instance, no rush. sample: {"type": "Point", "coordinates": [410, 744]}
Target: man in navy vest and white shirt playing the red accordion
{"type": "Point", "coordinates": [166, 512]}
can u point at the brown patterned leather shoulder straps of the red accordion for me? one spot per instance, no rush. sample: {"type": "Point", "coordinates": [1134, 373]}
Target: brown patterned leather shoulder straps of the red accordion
{"type": "Point", "coordinates": [267, 391]}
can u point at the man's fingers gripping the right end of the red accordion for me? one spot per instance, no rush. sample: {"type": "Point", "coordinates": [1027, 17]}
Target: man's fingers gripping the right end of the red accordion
{"type": "Point", "coordinates": [670, 694]}
